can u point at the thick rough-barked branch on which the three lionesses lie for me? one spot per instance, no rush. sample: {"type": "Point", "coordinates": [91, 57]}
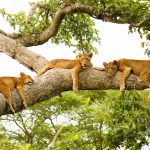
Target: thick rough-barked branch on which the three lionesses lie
{"type": "Point", "coordinates": [55, 81]}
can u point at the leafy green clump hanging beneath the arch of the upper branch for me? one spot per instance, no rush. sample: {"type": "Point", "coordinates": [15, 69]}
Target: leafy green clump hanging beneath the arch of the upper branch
{"type": "Point", "coordinates": [78, 31]}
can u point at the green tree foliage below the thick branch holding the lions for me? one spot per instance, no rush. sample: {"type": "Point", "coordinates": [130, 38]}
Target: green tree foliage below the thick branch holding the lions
{"type": "Point", "coordinates": [93, 119]}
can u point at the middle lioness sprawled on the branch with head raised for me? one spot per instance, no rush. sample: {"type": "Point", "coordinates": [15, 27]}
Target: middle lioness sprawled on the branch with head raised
{"type": "Point", "coordinates": [83, 61]}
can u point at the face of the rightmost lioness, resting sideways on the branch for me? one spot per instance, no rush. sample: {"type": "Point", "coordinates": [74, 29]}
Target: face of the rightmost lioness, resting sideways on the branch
{"type": "Point", "coordinates": [110, 68]}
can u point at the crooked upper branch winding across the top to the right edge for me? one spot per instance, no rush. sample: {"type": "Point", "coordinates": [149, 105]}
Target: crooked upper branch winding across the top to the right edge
{"type": "Point", "coordinates": [107, 15]}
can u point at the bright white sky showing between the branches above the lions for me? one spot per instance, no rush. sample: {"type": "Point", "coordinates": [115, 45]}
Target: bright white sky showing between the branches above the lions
{"type": "Point", "coordinates": [116, 43]}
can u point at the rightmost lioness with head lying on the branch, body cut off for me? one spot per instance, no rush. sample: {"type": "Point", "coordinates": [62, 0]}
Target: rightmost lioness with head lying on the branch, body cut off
{"type": "Point", "coordinates": [137, 67]}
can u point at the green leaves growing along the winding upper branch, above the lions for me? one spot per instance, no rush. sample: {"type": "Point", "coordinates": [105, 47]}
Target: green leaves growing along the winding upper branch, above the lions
{"type": "Point", "coordinates": [77, 29]}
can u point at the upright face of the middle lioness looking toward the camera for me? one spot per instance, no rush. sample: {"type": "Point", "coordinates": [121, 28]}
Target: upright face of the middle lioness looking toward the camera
{"type": "Point", "coordinates": [85, 59]}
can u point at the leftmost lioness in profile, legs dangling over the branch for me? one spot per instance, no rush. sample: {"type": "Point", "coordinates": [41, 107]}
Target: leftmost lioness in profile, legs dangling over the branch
{"type": "Point", "coordinates": [7, 84]}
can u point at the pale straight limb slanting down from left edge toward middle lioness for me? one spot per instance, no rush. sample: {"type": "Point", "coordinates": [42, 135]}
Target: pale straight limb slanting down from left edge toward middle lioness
{"type": "Point", "coordinates": [20, 53]}
